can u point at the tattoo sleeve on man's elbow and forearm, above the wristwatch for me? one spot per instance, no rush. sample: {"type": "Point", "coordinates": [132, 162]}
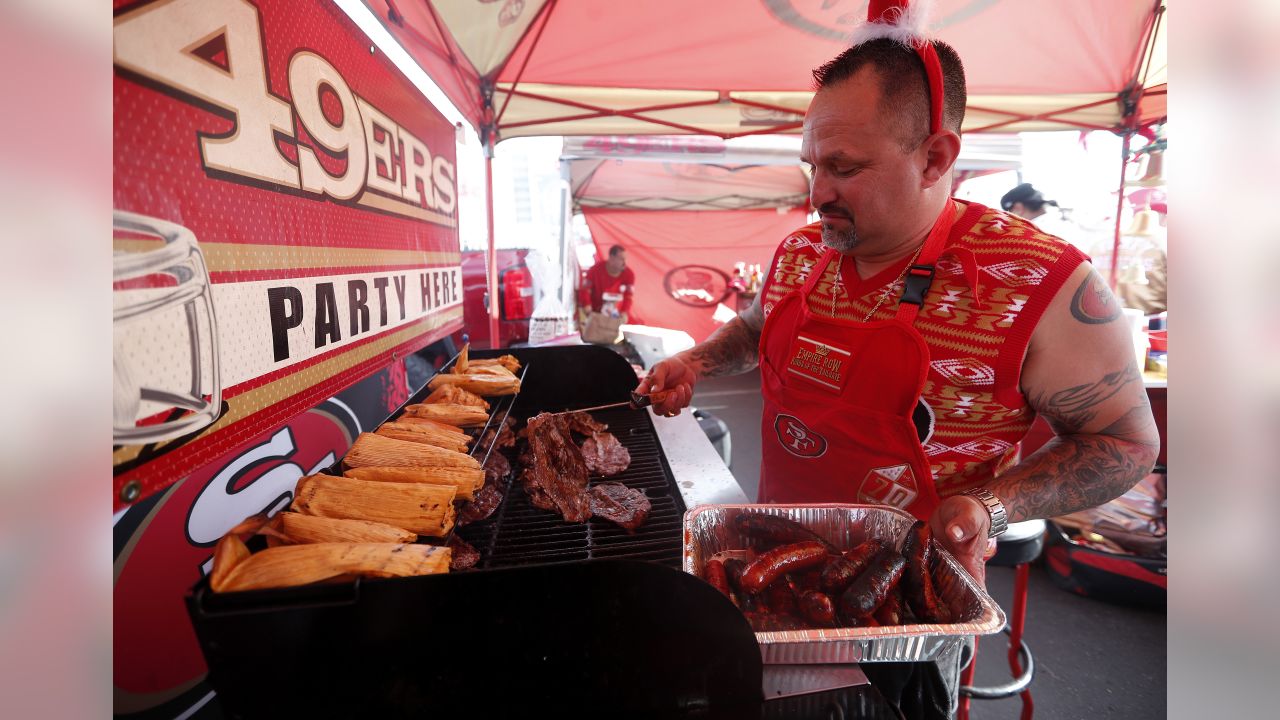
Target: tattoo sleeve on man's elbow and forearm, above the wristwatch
{"type": "Point", "coordinates": [1080, 468]}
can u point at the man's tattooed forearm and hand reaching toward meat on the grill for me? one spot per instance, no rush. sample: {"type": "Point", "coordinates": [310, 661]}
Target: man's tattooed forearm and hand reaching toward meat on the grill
{"type": "Point", "coordinates": [729, 352]}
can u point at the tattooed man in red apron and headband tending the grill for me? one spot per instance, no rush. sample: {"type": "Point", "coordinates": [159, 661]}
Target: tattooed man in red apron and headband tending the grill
{"type": "Point", "coordinates": [908, 340]}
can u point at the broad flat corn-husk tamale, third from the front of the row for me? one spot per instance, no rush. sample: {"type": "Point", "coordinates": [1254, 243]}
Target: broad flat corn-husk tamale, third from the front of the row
{"type": "Point", "coordinates": [424, 509]}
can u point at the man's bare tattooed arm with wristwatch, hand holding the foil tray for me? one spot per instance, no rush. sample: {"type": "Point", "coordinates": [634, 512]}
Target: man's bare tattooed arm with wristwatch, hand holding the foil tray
{"type": "Point", "coordinates": [1082, 377]}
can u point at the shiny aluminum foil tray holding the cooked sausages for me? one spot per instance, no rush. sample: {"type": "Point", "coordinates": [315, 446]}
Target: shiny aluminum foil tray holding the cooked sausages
{"type": "Point", "coordinates": [708, 531]}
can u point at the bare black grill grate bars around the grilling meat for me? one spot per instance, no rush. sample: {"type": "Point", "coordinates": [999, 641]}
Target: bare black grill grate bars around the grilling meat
{"type": "Point", "coordinates": [522, 535]}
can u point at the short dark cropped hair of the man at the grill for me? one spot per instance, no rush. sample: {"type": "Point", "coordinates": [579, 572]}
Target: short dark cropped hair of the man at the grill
{"type": "Point", "coordinates": [904, 86]}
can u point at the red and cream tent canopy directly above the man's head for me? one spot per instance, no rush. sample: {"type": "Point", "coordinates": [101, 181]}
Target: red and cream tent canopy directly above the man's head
{"type": "Point", "coordinates": [742, 67]}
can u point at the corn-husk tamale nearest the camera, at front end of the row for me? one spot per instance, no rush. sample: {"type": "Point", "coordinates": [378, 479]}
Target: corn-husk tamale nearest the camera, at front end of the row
{"type": "Point", "coordinates": [303, 564]}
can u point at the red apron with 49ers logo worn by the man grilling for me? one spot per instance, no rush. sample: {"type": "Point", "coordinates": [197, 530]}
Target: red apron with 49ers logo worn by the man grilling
{"type": "Point", "coordinates": [840, 395]}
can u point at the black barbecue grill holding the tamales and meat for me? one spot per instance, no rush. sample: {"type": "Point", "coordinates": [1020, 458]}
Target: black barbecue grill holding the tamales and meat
{"type": "Point", "coordinates": [556, 619]}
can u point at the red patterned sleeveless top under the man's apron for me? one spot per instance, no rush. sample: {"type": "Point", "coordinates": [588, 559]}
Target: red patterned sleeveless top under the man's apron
{"type": "Point", "coordinates": [991, 286]}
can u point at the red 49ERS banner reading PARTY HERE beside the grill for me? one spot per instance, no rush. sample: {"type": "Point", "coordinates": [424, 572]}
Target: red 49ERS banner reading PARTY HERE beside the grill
{"type": "Point", "coordinates": [286, 225]}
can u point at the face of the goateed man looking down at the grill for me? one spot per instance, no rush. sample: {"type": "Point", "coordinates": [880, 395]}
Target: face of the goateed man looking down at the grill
{"type": "Point", "coordinates": [866, 188]}
